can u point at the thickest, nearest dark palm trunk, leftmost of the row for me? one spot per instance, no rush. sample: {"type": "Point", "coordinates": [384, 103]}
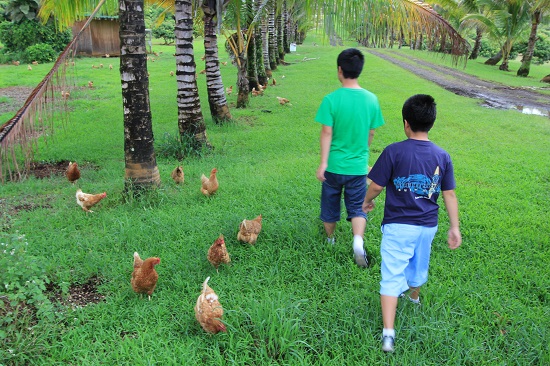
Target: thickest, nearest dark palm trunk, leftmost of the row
{"type": "Point", "coordinates": [141, 169]}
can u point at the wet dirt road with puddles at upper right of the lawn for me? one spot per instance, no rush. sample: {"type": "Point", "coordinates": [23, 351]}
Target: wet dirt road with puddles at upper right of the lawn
{"type": "Point", "coordinates": [494, 95]}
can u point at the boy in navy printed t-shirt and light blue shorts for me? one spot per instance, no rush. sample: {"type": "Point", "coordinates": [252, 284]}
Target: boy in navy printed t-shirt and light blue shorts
{"type": "Point", "coordinates": [414, 172]}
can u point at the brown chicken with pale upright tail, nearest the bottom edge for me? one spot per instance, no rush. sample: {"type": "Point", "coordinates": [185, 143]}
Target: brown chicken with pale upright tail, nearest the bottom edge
{"type": "Point", "coordinates": [209, 311]}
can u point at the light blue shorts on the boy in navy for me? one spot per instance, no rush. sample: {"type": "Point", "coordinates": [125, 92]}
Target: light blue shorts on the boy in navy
{"type": "Point", "coordinates": [405, 251]}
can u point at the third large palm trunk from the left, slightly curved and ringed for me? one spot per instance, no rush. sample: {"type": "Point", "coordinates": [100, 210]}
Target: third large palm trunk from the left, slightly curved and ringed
{"type": "Point", "coordinates": [216, 93]}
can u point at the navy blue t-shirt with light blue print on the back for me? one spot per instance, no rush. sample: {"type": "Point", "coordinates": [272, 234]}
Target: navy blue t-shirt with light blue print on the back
{"type": "Point", "coordinates": [414, 172]}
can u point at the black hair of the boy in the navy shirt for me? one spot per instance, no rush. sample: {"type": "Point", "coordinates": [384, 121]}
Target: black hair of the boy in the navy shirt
{"type": "Point", "coordinates": [419, 110]}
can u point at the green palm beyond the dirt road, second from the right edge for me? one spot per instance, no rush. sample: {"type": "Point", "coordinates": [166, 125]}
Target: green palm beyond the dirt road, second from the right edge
{"type": "Point", "coordinates": [505, 21]}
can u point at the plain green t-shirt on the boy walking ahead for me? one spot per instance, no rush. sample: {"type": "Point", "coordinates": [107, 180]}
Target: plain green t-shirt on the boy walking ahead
{"type": "Point", "coordinates": [351, 113]}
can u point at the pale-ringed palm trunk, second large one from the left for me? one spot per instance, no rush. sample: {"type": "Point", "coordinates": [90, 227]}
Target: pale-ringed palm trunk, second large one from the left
{"type": "Point", "coordinates": [191, 124]}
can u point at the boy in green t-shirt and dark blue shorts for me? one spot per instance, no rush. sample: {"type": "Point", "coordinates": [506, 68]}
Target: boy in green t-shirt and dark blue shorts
{"type": "Point", "coordinates": [349, 116]}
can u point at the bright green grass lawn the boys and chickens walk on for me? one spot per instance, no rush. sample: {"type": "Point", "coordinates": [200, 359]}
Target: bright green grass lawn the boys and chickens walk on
{"type": "Point", "coordinates": [291, 299]}
